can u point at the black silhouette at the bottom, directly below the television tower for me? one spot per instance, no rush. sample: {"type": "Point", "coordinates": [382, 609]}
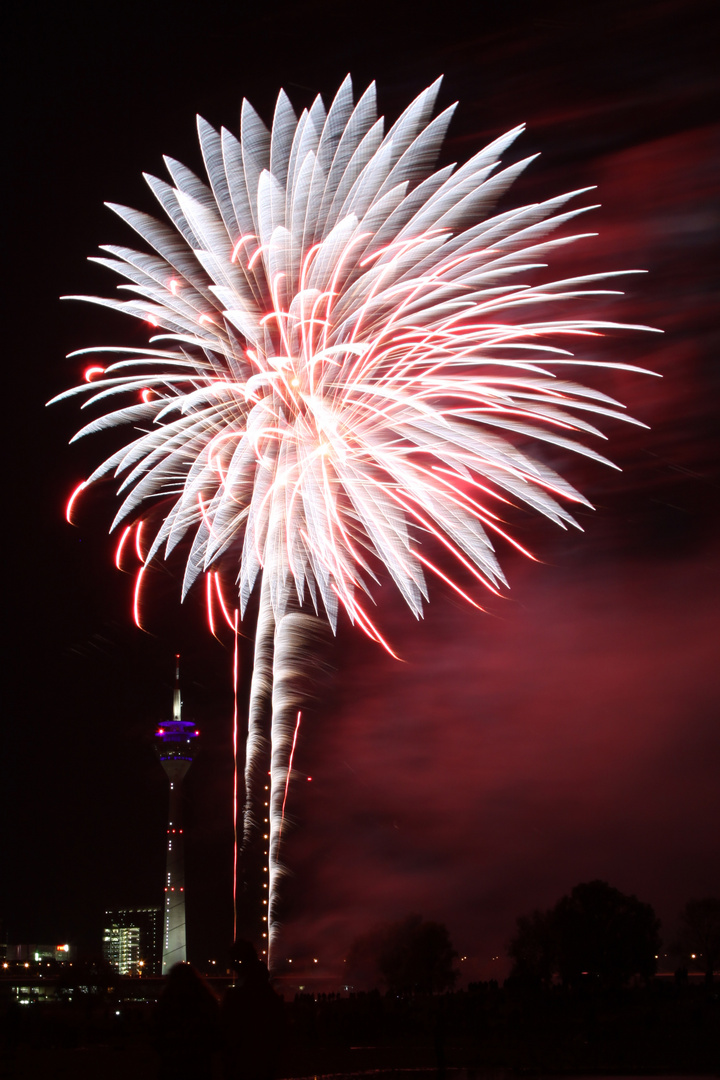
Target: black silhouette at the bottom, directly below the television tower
{"type": "Point", "coordinates": [186, 1027]}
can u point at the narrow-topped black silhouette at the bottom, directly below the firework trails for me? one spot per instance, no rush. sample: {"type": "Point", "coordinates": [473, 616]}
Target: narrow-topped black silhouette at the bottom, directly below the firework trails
{"type": "Point", "coordinates": [251, 1019]}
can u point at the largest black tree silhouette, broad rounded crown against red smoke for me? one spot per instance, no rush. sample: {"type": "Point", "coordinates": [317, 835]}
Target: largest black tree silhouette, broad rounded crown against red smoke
{"type": "Point", "coordinates": [595, 934]}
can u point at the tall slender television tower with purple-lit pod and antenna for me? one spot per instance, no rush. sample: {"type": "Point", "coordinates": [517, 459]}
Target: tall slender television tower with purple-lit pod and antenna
{"type": "Point", "coordinates": [176, 749]}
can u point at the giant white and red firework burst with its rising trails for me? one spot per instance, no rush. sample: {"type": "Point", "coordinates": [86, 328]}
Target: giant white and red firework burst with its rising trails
{"type": "Point", "coordinates": [342, 373]}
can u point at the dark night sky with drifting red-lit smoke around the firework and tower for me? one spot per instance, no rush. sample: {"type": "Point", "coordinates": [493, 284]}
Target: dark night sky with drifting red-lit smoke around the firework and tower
{"type": "Point", "coordinates": [569, 734]}
